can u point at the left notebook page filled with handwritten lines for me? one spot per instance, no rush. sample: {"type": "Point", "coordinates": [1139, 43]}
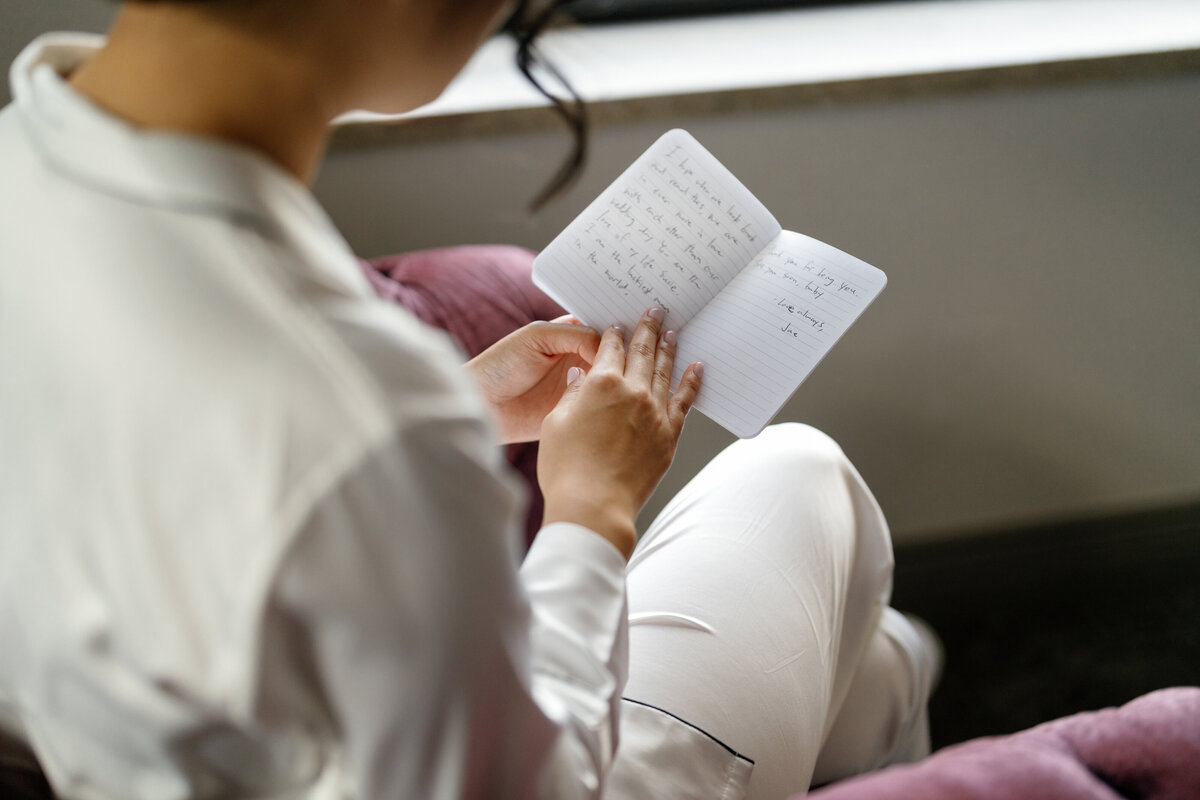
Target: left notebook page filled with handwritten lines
{"type": "Point", "coordinates": [671, 231]}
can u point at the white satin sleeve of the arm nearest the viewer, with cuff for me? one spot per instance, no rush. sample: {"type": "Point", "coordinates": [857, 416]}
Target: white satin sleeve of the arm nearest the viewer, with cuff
{"type": "Point", "coordinates": [400, 627]}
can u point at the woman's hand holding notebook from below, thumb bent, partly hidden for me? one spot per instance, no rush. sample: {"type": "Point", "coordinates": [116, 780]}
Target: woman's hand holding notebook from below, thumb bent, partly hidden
{"type": "Point", "coordinates": [524, 375]}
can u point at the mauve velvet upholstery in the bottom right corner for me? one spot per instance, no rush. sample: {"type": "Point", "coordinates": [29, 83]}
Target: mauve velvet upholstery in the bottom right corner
{"type": "Point", "coordinates": [1145, 750]}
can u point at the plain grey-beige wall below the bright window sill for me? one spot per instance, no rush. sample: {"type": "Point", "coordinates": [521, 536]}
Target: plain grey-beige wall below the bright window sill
{"type": "Point", "coordinates": [1036, 352]}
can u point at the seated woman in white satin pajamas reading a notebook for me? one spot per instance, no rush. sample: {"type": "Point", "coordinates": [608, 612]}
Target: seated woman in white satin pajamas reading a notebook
{"type": "Point", "coordinates": [256, 537]}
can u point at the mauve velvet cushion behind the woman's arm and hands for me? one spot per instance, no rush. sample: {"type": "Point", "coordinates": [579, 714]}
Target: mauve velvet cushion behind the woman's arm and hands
{"type": "Point", "coordinates": [478, 294]}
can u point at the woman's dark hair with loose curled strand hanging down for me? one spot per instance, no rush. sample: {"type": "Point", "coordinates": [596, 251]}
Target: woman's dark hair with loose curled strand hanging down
{"type": "Point", "coordinates": [526, 23]}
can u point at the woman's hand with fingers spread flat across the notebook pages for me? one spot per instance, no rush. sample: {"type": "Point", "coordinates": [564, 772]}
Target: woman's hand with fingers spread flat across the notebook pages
{"type": "Point", "coordinates": [614, 434]}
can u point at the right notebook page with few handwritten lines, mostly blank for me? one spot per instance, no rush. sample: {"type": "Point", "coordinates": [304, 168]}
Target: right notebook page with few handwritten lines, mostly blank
{"type": "Point", "coordinates": [769, 330]}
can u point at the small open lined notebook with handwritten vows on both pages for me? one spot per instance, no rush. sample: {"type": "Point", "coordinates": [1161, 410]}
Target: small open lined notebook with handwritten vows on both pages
{"type": "Point", "coordinates": [759, 305]}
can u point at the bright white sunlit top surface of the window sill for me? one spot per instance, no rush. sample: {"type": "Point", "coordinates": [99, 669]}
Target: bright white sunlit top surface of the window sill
{"type": "Point", "coordinates": [832, 44]}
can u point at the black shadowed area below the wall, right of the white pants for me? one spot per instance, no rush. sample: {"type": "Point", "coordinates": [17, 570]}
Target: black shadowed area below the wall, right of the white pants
{"type": "Point", "coordinates": [1047, 622]}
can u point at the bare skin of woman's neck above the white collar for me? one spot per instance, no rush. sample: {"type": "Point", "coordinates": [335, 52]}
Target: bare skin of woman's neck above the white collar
{"type": "Point", "coordinates": [169, 67]}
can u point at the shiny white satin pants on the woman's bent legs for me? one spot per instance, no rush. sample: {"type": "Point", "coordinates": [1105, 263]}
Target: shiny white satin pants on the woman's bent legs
{"type": "Point", "coordinates": [759, 616]}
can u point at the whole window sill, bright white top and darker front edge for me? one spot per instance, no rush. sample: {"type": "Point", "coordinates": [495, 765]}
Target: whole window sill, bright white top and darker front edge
{"type": "Point", "coordinates": [753, 61]}
